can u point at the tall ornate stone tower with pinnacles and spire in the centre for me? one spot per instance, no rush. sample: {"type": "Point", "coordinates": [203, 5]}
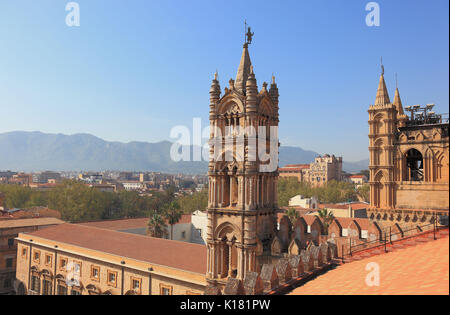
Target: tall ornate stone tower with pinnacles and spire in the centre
{"type": "Point", "coordinates": [242, 182]}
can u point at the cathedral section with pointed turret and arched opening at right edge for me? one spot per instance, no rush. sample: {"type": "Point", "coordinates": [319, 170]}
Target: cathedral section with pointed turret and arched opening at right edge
{"type": "Point", "coordinates": [409, 161]}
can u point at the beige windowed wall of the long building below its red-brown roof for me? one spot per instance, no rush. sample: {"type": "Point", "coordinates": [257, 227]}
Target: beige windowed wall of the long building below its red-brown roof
{"type": "Point", "coordinates": [125, 274]}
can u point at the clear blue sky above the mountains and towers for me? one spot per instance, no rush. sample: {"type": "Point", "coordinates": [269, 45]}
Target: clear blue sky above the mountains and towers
{"type": "Point", "coordinates": [134, 69]}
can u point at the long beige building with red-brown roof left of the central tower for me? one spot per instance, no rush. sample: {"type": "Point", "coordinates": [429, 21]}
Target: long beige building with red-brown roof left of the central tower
{"type": "Point", "coordinates": [72, 259]}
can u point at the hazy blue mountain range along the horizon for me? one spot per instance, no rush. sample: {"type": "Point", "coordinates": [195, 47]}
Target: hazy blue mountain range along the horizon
{"type": "Point", "coordinates": [37, 151]}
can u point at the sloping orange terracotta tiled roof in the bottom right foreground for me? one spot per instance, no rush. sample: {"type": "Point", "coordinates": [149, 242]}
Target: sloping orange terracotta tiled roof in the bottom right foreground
{"type": "Point", "coordinates": [421, 269]}
